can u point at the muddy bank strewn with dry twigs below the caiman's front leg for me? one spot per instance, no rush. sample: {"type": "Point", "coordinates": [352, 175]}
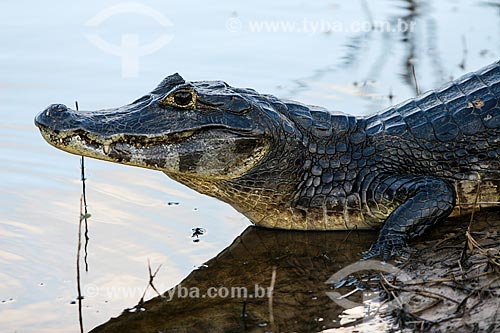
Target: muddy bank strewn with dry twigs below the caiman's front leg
{"type": "Point", "coordinates": [456, 274]}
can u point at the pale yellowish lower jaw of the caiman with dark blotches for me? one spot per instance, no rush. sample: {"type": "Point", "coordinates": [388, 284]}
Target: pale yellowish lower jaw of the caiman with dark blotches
{"type": "Point", "coordinates": [206, 153]}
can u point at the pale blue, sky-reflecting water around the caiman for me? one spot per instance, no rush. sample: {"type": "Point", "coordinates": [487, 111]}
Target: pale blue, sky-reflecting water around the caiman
{"type": "Point", "coordinates": [46, 57]}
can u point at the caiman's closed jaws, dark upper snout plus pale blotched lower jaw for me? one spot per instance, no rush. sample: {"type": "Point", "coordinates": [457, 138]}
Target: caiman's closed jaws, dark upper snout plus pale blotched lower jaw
{"type": "Point", "coordinates": [173, 141]}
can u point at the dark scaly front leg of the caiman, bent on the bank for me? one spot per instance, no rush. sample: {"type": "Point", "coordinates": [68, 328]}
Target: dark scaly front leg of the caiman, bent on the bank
{"type": "Point", "coordinates": [420, 202]}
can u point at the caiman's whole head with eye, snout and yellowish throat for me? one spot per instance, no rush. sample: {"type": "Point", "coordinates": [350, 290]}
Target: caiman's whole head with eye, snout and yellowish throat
{"type": "Point", "coordinates": [230, 143]}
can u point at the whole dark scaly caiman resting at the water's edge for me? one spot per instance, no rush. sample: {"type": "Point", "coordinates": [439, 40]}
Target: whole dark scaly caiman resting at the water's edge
{"type": "Point", "coordinates": [291, 166]}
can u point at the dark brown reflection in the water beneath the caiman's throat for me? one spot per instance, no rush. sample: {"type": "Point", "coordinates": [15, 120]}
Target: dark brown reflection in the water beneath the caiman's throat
{"type": "Point", "coordinates": [302, 262]}
